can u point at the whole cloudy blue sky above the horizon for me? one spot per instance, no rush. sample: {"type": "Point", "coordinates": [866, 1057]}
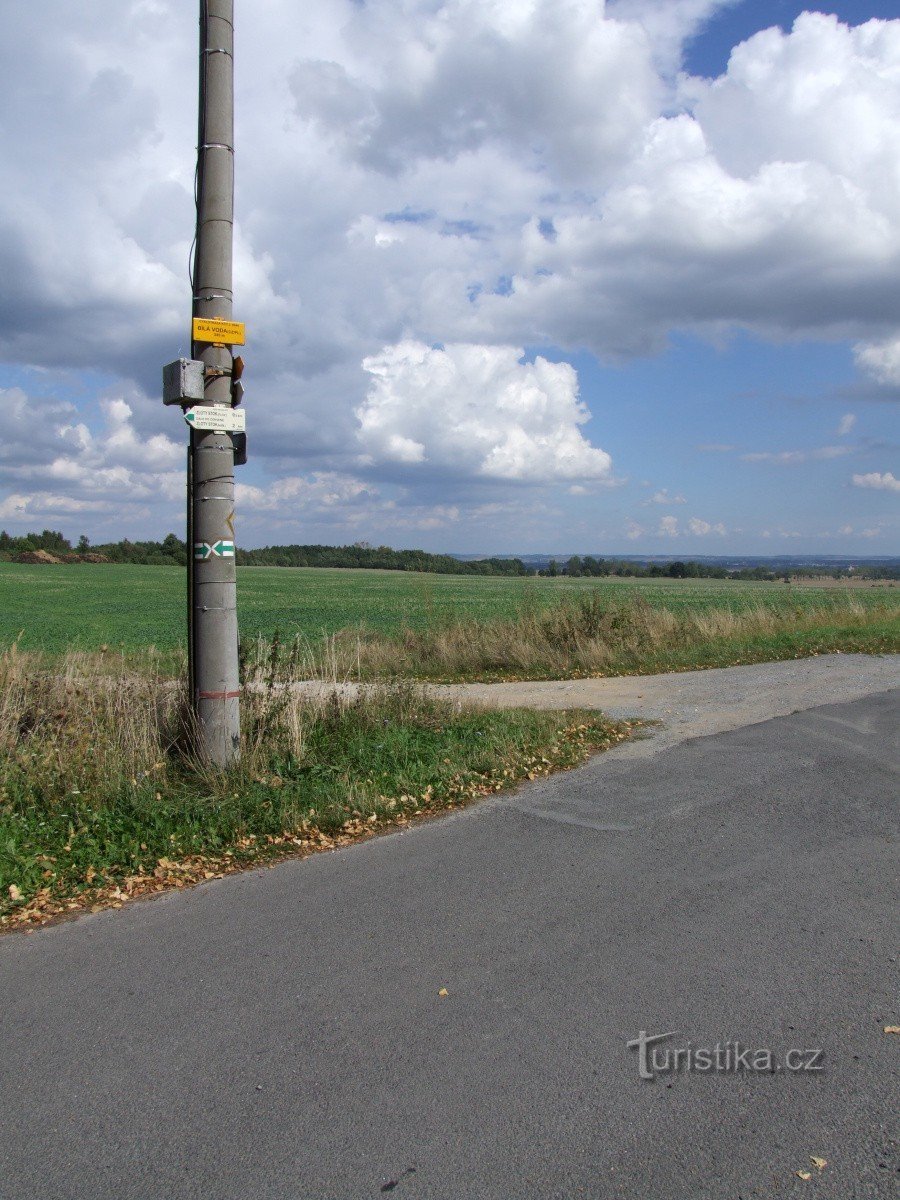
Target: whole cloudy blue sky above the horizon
{"type": "Point", "coordinates": [518, 277]}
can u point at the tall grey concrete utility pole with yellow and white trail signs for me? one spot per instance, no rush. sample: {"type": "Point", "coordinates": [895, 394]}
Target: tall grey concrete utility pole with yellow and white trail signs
{"type": "Point", "coordinates": [207, 387]}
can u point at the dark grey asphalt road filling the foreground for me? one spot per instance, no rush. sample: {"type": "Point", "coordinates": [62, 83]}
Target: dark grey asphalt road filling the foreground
{"type": "Point", "coordinates": [283, 1034]}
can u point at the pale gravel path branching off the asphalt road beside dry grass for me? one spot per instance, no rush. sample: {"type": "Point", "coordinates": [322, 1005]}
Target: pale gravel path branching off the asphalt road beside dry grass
{"type": "Point", "coordinates": [695, 704]}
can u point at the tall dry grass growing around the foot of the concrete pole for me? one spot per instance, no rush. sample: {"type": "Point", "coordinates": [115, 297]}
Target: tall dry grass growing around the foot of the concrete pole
{"type": "Point", "coordinates": [88, 723]}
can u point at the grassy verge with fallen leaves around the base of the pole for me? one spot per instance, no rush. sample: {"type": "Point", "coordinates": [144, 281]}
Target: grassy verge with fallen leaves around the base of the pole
{"type": "Point", "coordinates": [100, 801]}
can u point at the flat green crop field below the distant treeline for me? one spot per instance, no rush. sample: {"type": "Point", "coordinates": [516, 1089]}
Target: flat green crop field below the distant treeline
{"type": "Point", "coordinates": [133, 608]}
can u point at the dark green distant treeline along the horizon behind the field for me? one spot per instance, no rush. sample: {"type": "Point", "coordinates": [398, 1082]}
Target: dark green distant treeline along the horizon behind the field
{"type": "Point", "coordinates": [173, 553]}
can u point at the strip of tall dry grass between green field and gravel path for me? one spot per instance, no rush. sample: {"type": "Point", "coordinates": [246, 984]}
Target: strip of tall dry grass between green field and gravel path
{"type": "Point", "coordinates": [592, 635]}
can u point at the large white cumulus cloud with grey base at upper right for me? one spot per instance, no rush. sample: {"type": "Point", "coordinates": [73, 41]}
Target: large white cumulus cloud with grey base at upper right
{"type": "Point", "coordinates": [775, 178]}
